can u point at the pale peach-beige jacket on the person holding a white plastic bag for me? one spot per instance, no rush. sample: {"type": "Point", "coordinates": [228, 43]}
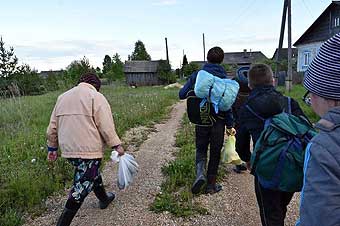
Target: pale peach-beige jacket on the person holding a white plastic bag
{"type": "Point", "coordinates": [81, 124]}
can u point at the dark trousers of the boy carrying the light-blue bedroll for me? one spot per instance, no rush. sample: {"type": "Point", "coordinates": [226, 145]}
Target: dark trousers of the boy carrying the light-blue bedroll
{"type": "Point", "coordinates": [213, 136]}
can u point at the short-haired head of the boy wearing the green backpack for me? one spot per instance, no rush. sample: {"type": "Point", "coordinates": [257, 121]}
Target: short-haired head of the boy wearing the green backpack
{"type": "Point", "coordinates": [260, 75]}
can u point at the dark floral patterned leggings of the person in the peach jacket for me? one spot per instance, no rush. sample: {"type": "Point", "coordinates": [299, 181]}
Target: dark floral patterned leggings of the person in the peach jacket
{"type": "Point", "coordinates": [86, 176]}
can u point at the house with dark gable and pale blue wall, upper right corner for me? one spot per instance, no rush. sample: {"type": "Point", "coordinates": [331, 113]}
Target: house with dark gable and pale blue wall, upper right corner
{"type": "Point", "coordinates": [324, 27]}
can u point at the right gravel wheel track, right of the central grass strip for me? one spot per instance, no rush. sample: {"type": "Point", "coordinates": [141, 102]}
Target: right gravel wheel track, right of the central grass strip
{"type": "Point", "coordinates": [236, 204]}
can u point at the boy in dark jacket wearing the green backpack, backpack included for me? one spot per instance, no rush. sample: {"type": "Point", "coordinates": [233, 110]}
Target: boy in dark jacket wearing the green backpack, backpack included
{"type": "Point", "coordinates": [258, 120]}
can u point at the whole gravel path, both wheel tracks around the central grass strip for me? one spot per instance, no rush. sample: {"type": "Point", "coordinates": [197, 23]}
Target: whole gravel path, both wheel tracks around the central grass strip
{"type": "Point", "coordinates": [234, 206]}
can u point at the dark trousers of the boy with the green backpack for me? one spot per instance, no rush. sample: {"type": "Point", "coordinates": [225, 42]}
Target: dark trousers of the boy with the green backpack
{"type": "Point", "coordinates": [272, 205]}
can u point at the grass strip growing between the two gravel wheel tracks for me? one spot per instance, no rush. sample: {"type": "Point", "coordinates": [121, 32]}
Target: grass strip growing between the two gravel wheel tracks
{"type": "Point", "coordinates": [176, 196]}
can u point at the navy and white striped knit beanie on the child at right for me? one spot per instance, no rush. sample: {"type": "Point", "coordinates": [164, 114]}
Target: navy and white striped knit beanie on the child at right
{"type": "Point", "coordinates": [322, 77]}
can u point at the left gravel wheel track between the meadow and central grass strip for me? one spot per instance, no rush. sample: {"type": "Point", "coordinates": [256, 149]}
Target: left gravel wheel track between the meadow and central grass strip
{"type": "Point", "coordinates": [131, 206]}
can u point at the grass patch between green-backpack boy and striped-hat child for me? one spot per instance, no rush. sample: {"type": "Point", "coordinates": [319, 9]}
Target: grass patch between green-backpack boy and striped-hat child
{"type": "Point", "coordinates": [297, 93]}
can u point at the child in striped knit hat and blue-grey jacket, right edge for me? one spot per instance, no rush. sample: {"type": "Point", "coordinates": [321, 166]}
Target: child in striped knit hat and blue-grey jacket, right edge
{"type": "Point", "coordinates": [320, 197]}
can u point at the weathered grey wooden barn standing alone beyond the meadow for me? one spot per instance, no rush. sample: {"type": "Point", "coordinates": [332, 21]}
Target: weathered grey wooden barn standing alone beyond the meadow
{"type": "Point", "coordinates": [142, 73]}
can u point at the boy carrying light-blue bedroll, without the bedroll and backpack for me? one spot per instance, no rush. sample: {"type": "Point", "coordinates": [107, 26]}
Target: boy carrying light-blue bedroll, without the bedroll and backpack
{"type": "Point", "coordinates": [214, 135]}
